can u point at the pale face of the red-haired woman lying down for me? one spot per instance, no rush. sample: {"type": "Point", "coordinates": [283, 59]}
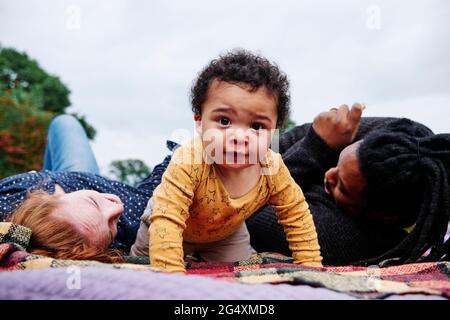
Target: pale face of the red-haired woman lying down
{"type": "Point", "coordinates": [93, 214]}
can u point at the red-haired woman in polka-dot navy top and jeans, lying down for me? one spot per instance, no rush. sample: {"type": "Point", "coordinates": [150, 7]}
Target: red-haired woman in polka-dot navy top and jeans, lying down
{"type": "Point", "coordinates": [73, 211]}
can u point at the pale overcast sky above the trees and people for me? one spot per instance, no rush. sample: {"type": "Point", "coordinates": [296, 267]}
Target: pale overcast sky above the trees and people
{"type": "Point", "coordinates": [130, 64]}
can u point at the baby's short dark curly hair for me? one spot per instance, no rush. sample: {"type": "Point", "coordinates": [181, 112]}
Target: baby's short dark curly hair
{"type": "Point", "coordinates": [242, 66]}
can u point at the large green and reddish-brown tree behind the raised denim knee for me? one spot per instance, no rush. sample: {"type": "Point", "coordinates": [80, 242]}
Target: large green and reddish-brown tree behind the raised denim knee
{"type": "Point", "coordinates": [29, 99]}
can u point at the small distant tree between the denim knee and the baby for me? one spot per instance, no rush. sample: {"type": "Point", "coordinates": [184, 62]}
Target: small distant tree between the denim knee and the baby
{"type": "Point", "coordinates": [130, 171]}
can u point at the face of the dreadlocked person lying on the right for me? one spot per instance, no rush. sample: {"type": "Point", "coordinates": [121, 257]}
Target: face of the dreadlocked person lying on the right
{"type": "Point", "coordinates": [345, 182]}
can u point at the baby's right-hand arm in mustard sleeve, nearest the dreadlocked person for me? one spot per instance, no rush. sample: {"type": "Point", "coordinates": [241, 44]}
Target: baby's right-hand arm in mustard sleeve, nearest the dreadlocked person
{"type": "Point", "coordinates": [293, 213]}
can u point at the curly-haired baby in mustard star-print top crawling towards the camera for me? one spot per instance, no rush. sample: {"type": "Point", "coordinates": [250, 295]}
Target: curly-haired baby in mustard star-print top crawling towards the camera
{"type": "Point", "coordinates": [218, 180]}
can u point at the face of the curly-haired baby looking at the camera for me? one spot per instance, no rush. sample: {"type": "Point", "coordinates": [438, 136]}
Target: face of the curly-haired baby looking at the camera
{"type": "Point", "coordinates": [236, 124]}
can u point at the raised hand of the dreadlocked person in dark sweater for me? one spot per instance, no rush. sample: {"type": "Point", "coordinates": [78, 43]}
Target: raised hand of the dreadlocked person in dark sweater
{"type": "Point", "coordinates": [338, 127]}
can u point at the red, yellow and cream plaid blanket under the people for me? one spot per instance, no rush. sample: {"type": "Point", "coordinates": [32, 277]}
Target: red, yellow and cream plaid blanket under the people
{"type": "Point", "coordinates": [361, 282]}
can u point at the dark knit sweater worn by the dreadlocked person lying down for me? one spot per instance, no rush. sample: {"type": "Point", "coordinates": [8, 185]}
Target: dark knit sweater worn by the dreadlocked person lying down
{"type": "Point", "coordinates": [343, 239]}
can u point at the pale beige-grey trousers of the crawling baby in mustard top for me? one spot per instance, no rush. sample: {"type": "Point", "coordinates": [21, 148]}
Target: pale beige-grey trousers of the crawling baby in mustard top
{"type": "Point", "coordinates": [235, 247]}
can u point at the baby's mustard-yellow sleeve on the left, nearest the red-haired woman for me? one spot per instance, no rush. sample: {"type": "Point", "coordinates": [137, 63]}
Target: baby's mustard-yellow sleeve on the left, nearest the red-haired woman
{"type": "Point", "coordinates": [172, 197]}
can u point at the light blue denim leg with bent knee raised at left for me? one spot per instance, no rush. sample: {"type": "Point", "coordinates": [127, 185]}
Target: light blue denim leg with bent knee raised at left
{"type": "Point", "coordinates": [68, 147]}
